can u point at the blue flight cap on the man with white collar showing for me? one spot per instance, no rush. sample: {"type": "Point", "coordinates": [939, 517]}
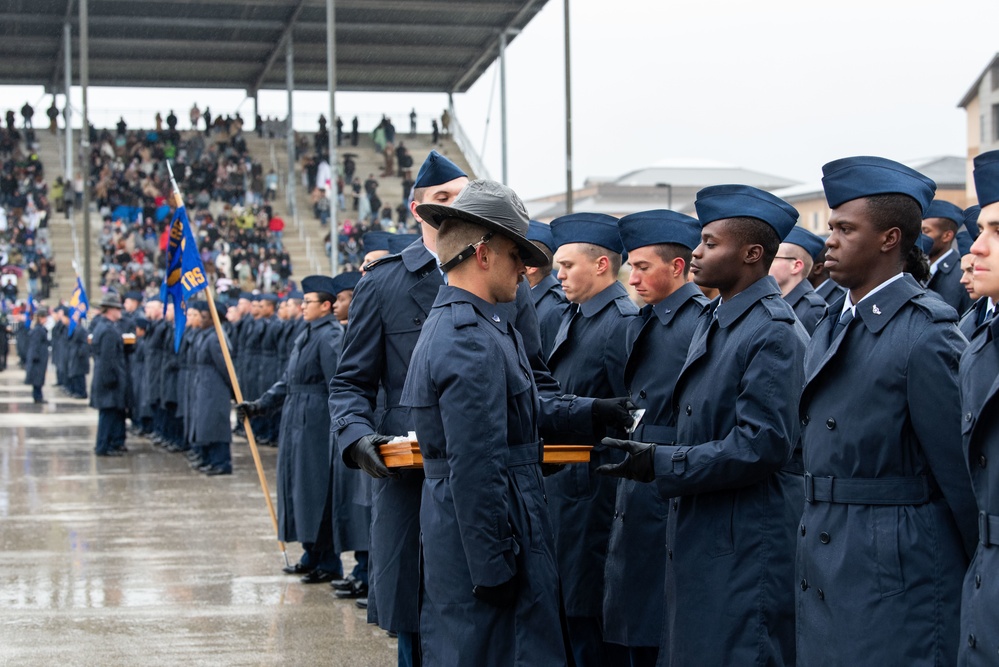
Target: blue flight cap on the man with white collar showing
{"type": "Point", "coordinates": [864, 176]}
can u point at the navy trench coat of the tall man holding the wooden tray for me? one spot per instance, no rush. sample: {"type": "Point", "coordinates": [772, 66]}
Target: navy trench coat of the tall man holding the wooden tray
{"type": "Point", "coordinates": [387, 312]}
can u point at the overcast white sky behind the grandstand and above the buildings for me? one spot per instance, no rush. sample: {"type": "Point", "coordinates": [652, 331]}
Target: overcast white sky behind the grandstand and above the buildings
{"type": "Point", "coordinates": [778, 86]}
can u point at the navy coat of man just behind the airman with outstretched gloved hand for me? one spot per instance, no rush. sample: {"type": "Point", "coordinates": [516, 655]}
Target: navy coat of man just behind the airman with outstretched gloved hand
{"type": "Point", "coordinates": [656, 348]}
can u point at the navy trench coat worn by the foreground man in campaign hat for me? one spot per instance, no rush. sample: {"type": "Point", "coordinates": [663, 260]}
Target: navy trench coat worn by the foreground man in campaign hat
{"type": "Point", "coordinates": [483, 514]}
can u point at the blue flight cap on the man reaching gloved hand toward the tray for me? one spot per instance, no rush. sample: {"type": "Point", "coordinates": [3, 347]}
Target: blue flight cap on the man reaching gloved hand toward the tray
{"type": "Point", "coordinates": [718, 202]}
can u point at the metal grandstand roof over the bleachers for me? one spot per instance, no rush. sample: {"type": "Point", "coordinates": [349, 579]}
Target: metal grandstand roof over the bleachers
{"type": "Point", "coordinates": [382, 45]}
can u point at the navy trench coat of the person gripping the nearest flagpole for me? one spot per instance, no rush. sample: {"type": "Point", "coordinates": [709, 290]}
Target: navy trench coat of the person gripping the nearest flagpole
{"type": "Point", "coordinates": [305, 458]}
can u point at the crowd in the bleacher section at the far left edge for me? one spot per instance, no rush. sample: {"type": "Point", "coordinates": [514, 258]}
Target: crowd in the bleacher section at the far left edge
{"type": "Point", "coordinates": [26, 207]}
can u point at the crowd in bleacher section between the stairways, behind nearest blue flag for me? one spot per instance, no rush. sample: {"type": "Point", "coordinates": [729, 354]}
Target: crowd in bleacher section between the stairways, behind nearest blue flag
{"type": "Point", "coordinates": [227, 197]}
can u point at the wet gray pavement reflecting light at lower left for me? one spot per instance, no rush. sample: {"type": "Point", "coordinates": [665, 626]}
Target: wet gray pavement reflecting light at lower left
{"type": "Point", "coordinates": [139, 560]}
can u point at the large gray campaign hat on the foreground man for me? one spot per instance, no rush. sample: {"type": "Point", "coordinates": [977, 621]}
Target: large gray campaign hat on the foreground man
{"type": "Point", "coordinates": [493, 206]}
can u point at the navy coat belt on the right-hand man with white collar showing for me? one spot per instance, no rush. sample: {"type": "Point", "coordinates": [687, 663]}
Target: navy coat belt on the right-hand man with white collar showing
{"type": "Point", "coordinates": [879, 491]}
